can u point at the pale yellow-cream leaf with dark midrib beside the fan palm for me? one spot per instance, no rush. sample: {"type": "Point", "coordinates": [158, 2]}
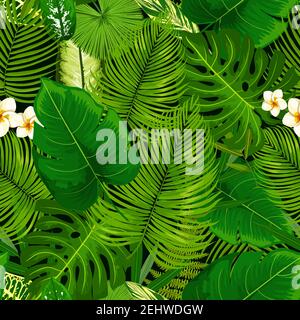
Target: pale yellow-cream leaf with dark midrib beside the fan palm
{"type": "Point", "coordinates": [76, 68]}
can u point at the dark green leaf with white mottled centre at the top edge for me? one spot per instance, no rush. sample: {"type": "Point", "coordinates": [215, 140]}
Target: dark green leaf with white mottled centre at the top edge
{"type": "Point", "coordinates": [60, 17]}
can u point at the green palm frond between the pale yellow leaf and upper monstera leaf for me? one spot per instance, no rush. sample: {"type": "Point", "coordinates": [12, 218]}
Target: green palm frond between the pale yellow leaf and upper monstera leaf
{"type": "Point", "coordinates": [147, 81]}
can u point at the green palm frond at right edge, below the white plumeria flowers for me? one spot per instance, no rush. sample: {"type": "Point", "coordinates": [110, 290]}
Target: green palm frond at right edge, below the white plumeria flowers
{"type": "Point", "coordinates": [277, 167]}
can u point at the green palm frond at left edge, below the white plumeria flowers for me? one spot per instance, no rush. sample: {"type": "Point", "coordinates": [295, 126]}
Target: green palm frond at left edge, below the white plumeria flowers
{"type": "Point", "coordinates": [20, 187]}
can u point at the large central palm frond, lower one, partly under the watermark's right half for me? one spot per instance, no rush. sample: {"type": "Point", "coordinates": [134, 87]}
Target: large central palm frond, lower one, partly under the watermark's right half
{"type": "Point", "coordinates": [161, 206]}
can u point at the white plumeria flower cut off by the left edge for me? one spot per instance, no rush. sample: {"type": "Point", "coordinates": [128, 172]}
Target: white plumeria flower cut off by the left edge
{"type": "Point", "coordinates": [8, 116]}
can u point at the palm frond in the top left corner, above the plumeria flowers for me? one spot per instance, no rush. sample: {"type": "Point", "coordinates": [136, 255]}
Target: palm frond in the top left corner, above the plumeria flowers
{"type": "Point", "coordinates": [27, 53]}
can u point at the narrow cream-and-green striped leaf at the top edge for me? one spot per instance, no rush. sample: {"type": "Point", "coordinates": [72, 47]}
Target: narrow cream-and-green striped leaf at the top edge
{"type": "Point", "coordinates": [166, 12]}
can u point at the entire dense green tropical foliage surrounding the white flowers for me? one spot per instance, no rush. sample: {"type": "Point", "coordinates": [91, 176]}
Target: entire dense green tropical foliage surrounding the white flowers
{"type": "Point", "coordinates": [71, 228]}
